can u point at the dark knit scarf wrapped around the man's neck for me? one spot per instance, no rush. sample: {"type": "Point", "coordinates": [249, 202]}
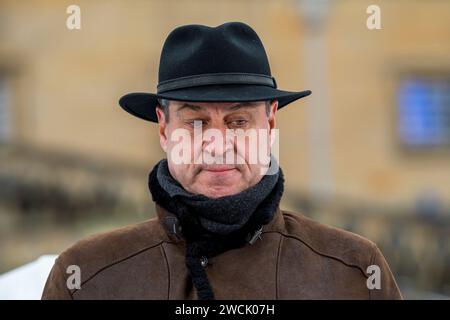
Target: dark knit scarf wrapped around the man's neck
{"type": "Point", "coordinates": [204, 239]}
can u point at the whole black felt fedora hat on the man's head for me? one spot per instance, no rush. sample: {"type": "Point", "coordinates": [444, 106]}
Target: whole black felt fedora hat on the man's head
{"type": "Point", "coordinates": [226, 63]}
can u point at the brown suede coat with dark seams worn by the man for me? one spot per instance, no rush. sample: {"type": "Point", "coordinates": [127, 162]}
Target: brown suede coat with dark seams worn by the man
{"type": "Point", "coordinates": [296, 258]}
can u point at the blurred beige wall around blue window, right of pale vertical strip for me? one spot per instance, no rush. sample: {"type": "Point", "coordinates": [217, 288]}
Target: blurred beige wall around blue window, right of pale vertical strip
{"type": "Point", "coordinates": [364, 69]}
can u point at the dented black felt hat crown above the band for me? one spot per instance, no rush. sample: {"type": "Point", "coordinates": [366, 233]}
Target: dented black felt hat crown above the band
{"type": "Point", "coordinates": [233, 47]}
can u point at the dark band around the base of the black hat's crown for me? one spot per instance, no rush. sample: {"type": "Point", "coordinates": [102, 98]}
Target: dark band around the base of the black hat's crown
{"type": "Point", "coordinates": [216, 78]}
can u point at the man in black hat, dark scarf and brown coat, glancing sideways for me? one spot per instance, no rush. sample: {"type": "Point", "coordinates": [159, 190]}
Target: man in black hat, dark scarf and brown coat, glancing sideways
{"type": "Point", "coordinates": [219, 231]}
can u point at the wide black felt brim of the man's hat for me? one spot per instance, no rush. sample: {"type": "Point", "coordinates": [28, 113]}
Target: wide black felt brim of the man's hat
{"type": "Point", "coordinates": [143, 105]}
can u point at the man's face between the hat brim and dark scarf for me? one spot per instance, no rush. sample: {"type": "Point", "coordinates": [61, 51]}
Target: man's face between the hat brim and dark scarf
{"type": "Point", "coordinates": [209, 170]}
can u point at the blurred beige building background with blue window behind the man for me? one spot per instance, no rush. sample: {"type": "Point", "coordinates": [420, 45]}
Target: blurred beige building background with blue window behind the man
{"type": "Point", "coordinates": [368, 151]}
